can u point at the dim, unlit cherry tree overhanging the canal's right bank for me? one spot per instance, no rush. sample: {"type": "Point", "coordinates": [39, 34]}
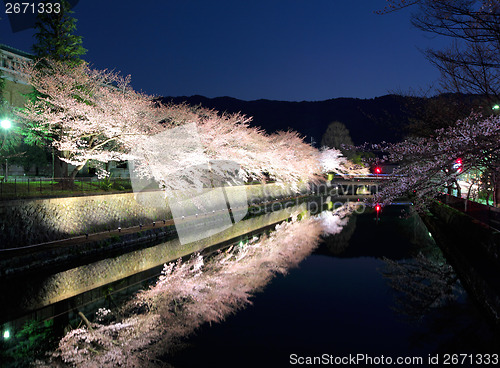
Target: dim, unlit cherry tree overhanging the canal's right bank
{"type": "Point", "coordinates": [426, 164]}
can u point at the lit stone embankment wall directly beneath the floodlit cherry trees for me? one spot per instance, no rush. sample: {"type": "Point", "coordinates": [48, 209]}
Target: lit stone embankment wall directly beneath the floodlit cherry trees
{"type": "Point", "coordinates": [27, 222]}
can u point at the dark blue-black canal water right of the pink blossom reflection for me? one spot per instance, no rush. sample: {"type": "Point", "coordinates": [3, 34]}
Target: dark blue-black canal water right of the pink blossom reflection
{"type": "Point", "coordinates": [381, 288]}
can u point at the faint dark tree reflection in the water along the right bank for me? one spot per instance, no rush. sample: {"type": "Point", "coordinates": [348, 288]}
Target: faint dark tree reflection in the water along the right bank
{"type": "Point", "coordinates": [427, 292]}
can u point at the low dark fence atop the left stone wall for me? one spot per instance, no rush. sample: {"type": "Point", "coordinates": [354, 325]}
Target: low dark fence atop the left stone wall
{"type": "Point", "coordinates": [31, 187]}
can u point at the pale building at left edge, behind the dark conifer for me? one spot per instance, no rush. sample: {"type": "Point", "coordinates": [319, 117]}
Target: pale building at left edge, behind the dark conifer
{"type": "Point", "coordinates": [16, 85]}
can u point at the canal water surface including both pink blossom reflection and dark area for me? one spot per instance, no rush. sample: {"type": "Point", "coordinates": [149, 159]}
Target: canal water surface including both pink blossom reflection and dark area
{"type": "Point", "coordinates": [340, 300]}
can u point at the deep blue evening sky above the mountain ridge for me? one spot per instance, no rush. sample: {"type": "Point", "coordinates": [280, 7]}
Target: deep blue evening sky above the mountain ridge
{"type": "Point", "coordinates": [275, 49]}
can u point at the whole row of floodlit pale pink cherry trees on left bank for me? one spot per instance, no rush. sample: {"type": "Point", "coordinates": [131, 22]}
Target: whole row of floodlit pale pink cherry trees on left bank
{"type": "Point", "coordinates": [96, 116]}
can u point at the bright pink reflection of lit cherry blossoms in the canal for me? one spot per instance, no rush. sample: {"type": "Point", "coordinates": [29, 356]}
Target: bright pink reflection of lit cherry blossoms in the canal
{"type": "Point", "coordinates": [195, 292]}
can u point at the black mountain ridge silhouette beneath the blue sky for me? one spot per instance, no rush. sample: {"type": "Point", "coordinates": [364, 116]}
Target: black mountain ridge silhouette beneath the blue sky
{"type": "Point", "coordinates": [378, 119]}
